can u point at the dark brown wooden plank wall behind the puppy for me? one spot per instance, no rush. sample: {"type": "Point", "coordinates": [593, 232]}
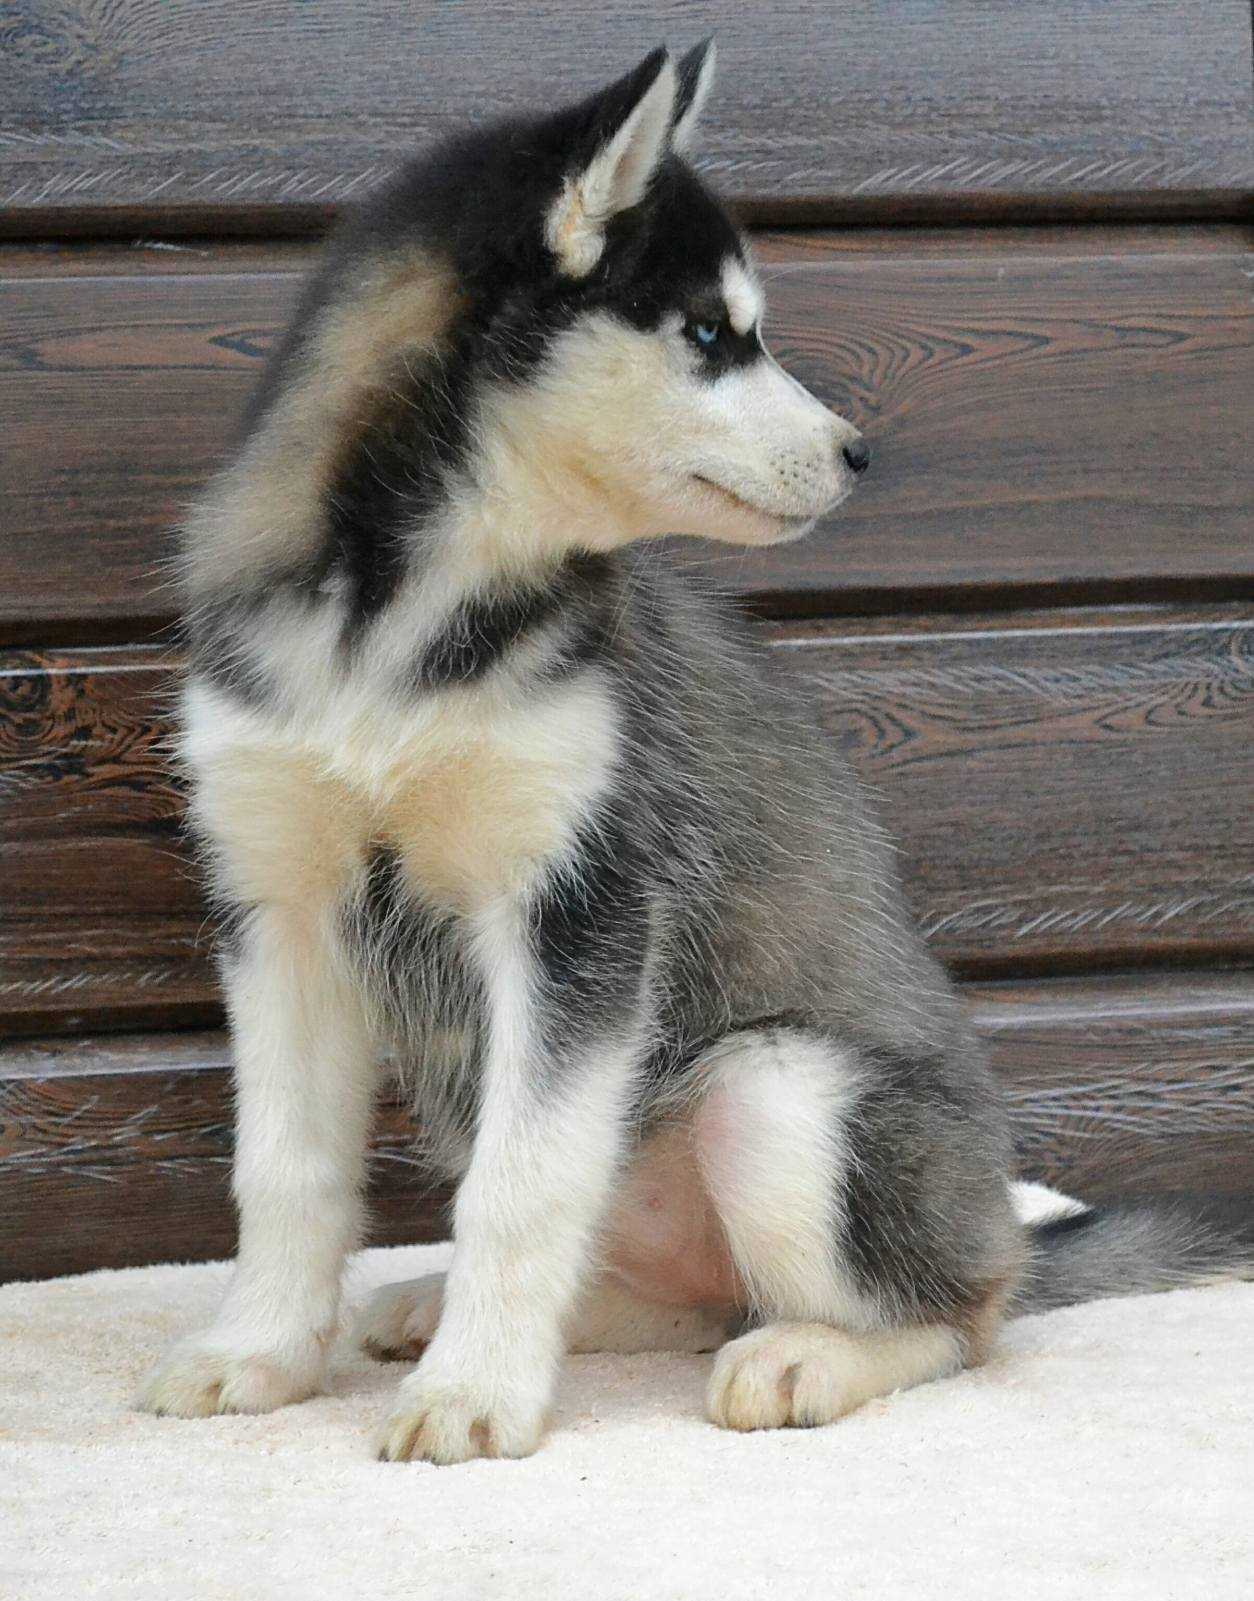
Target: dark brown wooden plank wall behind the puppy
{"type": "Point", "coordinates": [1010, 241]}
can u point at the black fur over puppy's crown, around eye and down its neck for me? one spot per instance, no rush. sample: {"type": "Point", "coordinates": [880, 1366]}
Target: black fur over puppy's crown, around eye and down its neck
{"type": "Point", "coordinates": [480, 204]}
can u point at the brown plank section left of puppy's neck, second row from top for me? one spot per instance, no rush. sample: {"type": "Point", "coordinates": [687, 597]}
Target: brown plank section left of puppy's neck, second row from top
{"type": "Point", "coordinates": [119, 398]}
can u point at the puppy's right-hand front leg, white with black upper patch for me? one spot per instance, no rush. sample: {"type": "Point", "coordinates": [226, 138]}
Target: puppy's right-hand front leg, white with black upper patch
{"type": "Point", "coordinates": [566, 997]}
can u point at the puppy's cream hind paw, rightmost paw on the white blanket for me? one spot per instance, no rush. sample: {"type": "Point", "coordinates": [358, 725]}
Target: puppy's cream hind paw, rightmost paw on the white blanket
{"type": "Point", "coordinates": [786, 1376]}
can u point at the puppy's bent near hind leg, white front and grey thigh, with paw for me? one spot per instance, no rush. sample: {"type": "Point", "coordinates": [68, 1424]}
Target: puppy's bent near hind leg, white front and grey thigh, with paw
{"type": "Point", "coordinates": [835, 1182]}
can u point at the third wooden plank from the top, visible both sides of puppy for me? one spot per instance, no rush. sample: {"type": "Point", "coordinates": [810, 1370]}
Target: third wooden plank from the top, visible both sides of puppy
{"type": "Point", "coordinates": [1071, 792]}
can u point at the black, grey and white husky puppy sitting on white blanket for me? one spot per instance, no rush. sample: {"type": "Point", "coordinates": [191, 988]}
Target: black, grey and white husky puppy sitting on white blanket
{"type": "Point", "coordinates": [492, 788]}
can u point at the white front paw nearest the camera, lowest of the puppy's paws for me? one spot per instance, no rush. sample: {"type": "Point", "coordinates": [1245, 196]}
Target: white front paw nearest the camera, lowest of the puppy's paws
{"type": "Point", "coordinates": [444, 1419]}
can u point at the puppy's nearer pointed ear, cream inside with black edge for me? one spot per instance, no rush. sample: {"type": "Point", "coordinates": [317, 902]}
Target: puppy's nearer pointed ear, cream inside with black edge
{"type": "Point", "coordinates": [627, 140]}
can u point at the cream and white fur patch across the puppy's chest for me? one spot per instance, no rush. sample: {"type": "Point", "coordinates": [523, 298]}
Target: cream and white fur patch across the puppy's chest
{"type": "Point", "coordinates": [473, 790]}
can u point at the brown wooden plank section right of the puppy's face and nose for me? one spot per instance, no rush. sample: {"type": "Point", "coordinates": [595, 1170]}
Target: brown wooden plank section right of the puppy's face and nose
{"type": "Point", "coordinates": [1039, 419]}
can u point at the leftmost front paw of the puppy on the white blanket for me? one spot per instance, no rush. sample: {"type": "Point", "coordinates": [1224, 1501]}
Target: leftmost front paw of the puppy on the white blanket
{"type": "Point", "coordinates": [201, 1379]}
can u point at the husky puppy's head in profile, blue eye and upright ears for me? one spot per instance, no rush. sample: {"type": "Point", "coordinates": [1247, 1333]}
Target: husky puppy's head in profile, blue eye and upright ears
{"type": "Point", "coordinates": [640, 372]}
